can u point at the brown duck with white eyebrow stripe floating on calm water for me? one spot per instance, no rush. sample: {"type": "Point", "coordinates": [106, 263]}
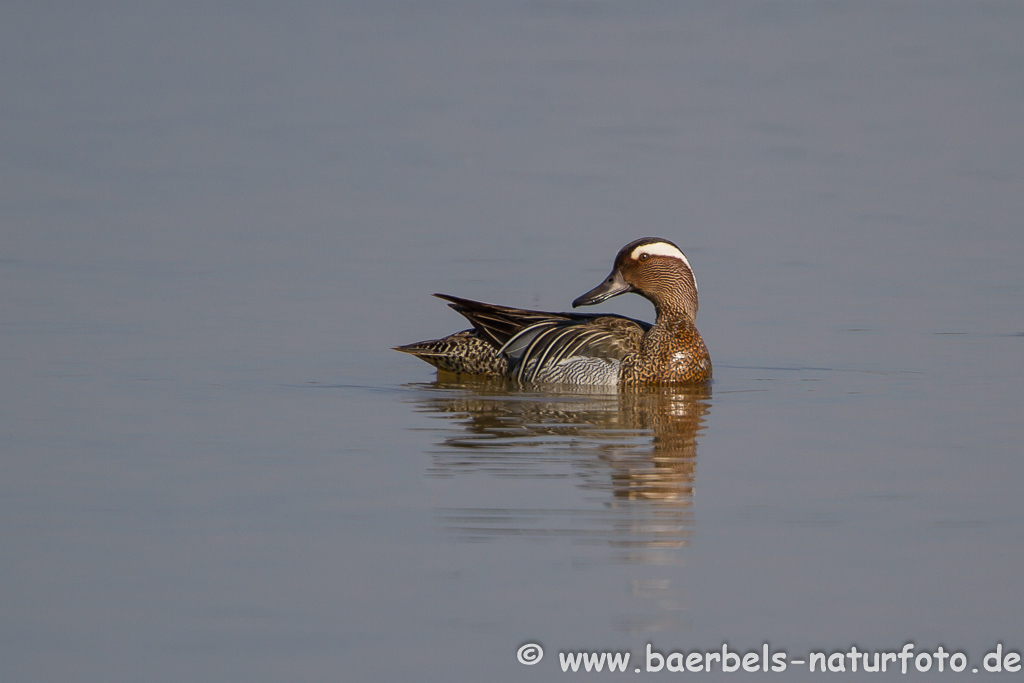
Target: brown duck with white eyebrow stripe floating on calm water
{"type": "Point", "coordinates": [596, 350]}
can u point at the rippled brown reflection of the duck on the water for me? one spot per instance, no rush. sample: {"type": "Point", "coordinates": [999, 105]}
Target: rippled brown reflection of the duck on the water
{"type": "Point", "coordinates": [641, 447]}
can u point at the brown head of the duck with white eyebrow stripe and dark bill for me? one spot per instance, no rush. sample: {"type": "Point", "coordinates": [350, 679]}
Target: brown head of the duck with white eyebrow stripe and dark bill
{"type": "Point", "coordinates": [655, 269]}
